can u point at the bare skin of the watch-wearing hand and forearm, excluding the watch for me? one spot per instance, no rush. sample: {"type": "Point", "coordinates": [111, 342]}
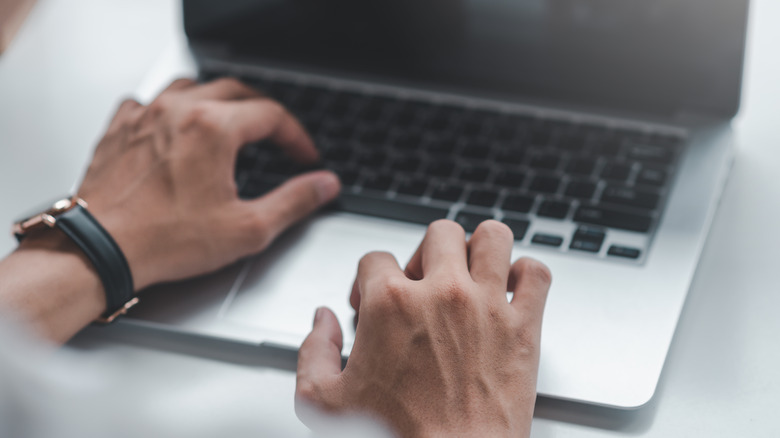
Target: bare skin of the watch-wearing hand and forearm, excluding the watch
{"type": "Point", "coordinates": [161, 182]}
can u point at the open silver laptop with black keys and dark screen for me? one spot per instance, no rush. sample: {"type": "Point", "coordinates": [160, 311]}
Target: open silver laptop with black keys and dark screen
{"type": "Point", "coordinates": [598, 131]}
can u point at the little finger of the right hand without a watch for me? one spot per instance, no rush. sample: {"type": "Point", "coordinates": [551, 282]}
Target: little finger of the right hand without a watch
{"type": "Point", "coordinates": [530, 281]}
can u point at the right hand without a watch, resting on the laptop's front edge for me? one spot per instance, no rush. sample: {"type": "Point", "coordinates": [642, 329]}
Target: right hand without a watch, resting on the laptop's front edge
{"type": "Point", "coordinates": [438, 349]}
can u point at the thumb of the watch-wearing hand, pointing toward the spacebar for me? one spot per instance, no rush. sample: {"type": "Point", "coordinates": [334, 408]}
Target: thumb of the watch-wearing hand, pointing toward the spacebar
{"type": "Point", "coordinates": [292, 201]}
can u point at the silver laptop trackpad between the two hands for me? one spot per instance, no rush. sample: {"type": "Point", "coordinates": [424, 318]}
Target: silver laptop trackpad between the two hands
{"type": "Point", "coordinates": [314, 265]}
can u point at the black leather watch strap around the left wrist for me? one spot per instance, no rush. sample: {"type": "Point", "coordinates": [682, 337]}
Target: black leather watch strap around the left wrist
{"type": "Point", "coordinates": [104, 253]}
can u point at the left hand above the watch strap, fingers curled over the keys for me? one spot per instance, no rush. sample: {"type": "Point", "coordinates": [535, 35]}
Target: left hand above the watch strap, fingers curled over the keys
{"type": "Point", "coordinates": [162, 179]}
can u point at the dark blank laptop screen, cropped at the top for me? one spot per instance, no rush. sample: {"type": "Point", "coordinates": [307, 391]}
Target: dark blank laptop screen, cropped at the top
{"type": "Point", "coordinates": [651, 55]}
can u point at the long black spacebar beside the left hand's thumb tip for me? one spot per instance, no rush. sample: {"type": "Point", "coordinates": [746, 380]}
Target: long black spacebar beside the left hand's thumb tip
{"type": "Point", "coordinates": [390, 209]}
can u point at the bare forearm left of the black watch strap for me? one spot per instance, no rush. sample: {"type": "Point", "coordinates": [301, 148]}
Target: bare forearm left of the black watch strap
{"type": "Point", "coordinates": [49, 284]}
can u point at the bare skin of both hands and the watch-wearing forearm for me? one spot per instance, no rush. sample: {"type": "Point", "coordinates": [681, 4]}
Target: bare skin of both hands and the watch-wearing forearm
{"type": "Point", "coordinates": [439, 350]}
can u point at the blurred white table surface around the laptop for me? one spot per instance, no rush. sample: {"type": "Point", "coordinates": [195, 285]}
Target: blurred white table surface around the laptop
{"type": "Point", "coordinates": [71, 64]}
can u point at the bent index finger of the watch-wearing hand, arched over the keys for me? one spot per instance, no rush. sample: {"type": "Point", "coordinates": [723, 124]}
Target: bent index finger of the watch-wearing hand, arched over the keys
{"type": "Point", "coordinates": [259, 119]}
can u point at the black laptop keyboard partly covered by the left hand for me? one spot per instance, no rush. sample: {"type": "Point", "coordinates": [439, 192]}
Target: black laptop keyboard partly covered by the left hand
{"type": "Point", "coordinates": [419, 161]}
